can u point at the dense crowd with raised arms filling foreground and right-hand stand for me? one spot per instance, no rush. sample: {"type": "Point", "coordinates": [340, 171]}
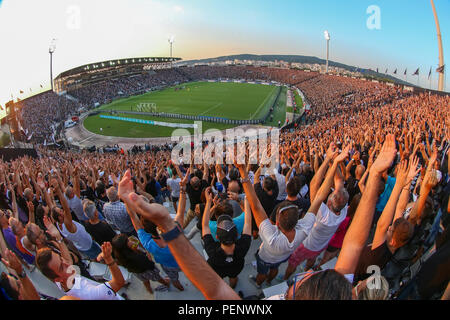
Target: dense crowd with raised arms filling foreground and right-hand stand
{"type": "Point", "coordinates": [365, 183]}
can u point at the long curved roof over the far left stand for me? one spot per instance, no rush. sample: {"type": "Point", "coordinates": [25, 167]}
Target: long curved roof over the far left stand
{"type": "Point", "coordinates": [115, 63]}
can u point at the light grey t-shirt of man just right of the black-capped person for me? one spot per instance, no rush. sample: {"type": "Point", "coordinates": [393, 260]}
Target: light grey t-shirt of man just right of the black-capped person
{"type": "Point", "coordinates": [275, 246]}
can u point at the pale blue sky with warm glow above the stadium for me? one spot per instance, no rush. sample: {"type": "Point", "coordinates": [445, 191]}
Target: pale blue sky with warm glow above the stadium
{"type": "Point", "coordinates": [96, 30]}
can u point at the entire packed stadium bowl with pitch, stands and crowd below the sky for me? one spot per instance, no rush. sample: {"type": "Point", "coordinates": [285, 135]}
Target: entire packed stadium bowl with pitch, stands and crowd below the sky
{"type": "Point", "coordinates": [337, 187]}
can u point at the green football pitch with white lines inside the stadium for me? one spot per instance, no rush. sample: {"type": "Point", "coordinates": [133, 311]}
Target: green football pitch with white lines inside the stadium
{"type": "Point", "coordinates": [237, 101]}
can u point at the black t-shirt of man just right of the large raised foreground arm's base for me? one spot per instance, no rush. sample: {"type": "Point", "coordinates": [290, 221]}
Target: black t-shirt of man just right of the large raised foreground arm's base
{"type": "Point", "coordinates": [379, 256]}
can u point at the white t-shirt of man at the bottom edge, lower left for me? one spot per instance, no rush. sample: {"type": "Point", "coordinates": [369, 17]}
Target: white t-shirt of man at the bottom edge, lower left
{"type": "Point", "coordinates": [87, 289]}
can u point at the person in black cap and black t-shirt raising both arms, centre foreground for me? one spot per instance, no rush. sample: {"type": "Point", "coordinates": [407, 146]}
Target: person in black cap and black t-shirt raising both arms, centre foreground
{"type": "Point", "coordinates": [227, 258]}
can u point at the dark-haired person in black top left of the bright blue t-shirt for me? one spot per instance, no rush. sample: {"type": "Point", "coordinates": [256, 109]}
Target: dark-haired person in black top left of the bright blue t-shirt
{"type": "Point", "coordinates": [137, 262]}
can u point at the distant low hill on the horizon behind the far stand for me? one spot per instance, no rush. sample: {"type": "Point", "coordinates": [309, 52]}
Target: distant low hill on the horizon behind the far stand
{"type": "Point", "coordinates": [303, 59]}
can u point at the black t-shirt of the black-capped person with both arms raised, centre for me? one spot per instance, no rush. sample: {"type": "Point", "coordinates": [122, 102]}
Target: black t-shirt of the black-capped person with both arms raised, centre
{"type": "Point", "coordinates": [223, 264]}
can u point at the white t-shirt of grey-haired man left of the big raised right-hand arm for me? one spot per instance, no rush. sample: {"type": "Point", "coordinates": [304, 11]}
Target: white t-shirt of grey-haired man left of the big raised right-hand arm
{"type": "Point", "coordinates": [327, 222]}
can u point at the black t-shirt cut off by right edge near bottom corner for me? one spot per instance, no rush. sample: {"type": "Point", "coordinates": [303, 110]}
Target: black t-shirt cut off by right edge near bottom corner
{"type": "Point", "coordinates": [434, 274]}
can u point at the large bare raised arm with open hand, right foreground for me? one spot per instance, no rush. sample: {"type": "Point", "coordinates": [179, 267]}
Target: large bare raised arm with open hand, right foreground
{"type": "Point", "coordinates": [358, 232]}
